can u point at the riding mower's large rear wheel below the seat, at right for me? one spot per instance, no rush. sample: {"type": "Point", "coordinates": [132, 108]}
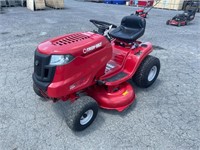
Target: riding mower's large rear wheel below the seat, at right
{"type": "Point", "coordinates": [148, 72]}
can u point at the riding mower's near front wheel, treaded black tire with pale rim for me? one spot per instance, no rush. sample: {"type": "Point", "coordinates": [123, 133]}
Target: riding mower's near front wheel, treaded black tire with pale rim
{"type": "Point", "coordinates": [82, 113]}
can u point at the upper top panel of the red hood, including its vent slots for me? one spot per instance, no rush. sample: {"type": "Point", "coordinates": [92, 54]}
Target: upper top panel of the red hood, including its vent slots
{"type": "Point", "coordinates": [71, 43]}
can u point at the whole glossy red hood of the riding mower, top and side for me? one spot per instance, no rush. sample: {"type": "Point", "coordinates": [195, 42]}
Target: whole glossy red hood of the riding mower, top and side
{"type": "Point", "coordinates": [90, 52]}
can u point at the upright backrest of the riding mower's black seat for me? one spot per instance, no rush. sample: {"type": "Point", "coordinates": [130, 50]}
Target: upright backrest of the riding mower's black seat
{"type": "Point", "coordinates": [133, 22]}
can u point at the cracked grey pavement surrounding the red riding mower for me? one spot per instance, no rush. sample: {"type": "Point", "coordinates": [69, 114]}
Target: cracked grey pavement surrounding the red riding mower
{"type": "Point", "coordinates": [164, 117]}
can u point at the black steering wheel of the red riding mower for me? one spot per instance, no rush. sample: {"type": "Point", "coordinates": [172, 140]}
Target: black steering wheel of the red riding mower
{"type": "Point", "coordinates": [102, 25]}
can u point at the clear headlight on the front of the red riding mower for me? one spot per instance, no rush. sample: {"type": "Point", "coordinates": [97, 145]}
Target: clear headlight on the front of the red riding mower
{"type": "Point", "coordinates": [60, 59]}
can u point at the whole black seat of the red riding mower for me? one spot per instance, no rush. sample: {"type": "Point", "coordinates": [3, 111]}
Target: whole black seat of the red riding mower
{"type": "Point", "coordinates": [131, 28]}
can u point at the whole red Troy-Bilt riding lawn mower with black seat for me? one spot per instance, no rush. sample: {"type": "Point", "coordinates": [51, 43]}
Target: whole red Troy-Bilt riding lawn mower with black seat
{"type": "Point", "coordinates": [93, 69]}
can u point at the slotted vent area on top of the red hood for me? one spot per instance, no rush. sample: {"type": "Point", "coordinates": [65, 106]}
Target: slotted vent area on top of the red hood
{"type": "Point", "coordinates": [70, 39]}
